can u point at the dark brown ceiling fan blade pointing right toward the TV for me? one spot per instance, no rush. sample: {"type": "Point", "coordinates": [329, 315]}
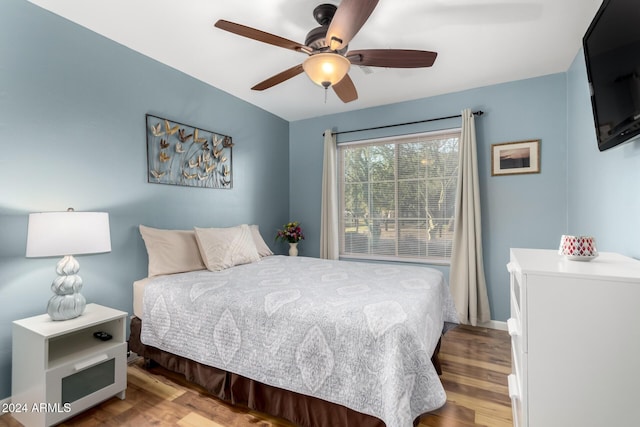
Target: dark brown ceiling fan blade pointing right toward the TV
{"type": "Point", "coordinates": [392, 58]}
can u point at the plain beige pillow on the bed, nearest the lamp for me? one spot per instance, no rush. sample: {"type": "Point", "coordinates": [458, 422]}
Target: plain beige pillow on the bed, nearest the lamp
{"type": "Point", "coordinates": [171, 251]}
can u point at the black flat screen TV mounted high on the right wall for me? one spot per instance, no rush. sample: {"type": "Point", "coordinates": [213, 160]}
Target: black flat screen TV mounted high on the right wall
{"type": "Point", "coordinates": [612, 54]}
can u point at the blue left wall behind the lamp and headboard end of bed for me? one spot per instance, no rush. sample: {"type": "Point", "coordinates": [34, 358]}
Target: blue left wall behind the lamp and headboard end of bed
{"type": "Point", "coordinates": [72, 133]}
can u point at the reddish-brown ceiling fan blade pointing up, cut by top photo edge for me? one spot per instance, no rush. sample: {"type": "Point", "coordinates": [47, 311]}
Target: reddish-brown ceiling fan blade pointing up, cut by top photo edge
{"type": "Point", "coordinates": [347, 21]}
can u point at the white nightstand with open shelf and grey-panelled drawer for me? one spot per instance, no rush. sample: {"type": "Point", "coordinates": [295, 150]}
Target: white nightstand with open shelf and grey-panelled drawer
{"type": "Point", "coordinates": [60, 368]}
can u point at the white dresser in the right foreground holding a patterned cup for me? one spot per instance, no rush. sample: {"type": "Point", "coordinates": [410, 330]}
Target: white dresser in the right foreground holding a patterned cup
{"type": "Point", "coordinates": [575, 335]}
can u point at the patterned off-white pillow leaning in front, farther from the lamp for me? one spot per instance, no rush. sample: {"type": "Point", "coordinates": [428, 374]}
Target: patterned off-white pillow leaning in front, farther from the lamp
{"type": "Point", "coordinates": [222, 248]}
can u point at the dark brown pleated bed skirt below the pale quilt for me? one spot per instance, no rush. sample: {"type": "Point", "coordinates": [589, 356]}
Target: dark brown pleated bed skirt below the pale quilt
{"type": "Point", "coordinates": [299, 409]}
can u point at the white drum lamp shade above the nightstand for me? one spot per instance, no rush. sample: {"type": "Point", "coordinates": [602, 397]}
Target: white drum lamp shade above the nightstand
{"type": "Point", "coordinates": [68, 233]}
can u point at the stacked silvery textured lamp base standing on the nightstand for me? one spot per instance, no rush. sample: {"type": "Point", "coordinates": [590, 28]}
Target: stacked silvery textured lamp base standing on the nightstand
{"type": "Point", "coordinates": [68, 302]}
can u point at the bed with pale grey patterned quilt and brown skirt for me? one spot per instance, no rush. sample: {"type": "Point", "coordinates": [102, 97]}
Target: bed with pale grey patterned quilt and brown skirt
{"type": "Point", "coordinates": [317, 342]}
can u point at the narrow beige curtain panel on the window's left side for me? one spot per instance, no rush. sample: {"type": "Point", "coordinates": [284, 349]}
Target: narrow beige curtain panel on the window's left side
{"type": "Point", "coordinates": [329, 246]}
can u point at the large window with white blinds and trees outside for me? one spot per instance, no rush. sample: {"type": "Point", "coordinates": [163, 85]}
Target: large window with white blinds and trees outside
{"type": "Point", "coordinates": [398, 197]}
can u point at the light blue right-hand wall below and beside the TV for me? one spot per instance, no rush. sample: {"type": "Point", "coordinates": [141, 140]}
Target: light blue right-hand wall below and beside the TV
{"type": "Point", "coordinates": [603, 200]}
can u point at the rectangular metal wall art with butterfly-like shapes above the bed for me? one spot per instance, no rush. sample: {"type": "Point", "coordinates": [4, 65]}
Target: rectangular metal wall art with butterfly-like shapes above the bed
{"type": "Point", "coordinates": [179, 154]}
